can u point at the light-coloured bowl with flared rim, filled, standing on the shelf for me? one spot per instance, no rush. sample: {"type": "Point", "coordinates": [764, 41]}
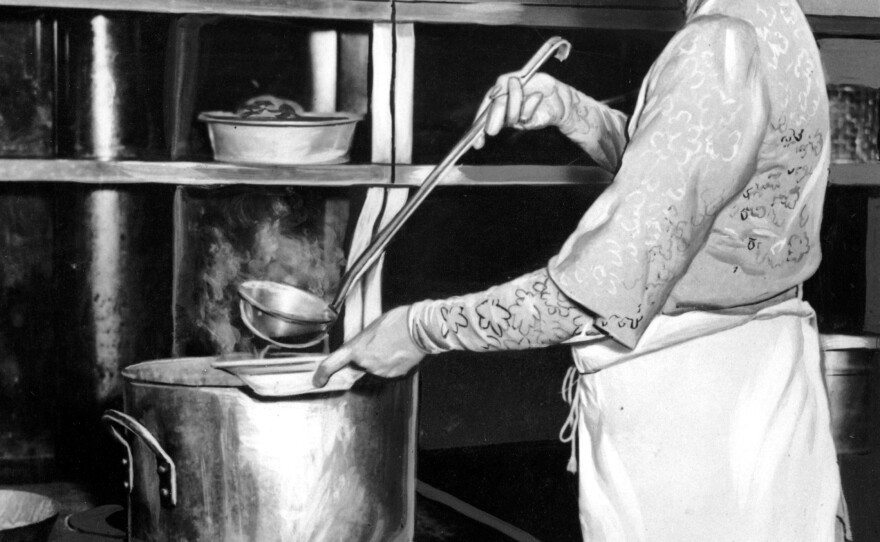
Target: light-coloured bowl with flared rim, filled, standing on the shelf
{"type": "Point", "coordinates": [319, 138]}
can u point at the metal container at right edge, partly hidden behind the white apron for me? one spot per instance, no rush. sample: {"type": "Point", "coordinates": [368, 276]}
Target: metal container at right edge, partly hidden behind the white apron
{"type": "Point", "coordinates": [850, 365]}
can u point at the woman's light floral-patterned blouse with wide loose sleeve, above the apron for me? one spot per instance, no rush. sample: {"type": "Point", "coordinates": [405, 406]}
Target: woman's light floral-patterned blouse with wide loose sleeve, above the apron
{"type": "Point", "coordinates": [718, 199]}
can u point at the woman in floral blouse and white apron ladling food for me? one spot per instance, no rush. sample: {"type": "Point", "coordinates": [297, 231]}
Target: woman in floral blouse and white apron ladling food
{"type": "Point", "coordinates": [700, 408]}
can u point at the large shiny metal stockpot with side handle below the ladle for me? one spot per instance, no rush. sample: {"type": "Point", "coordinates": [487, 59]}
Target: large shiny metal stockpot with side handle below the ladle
{"type": "Point", "coordinates": [213, 462]}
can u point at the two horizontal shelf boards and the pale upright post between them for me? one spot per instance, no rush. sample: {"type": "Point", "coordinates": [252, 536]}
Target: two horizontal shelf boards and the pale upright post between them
{"type": "Point", "coordinates": [399, 18]}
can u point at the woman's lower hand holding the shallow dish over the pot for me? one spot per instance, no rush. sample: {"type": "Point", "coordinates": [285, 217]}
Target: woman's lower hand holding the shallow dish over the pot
{"type": "Point", "coordinates": [384, 349]}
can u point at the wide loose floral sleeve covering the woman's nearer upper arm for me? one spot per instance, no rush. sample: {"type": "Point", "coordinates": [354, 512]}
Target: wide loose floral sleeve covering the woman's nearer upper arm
{"type": "Point", "coordinates": [694, 145]}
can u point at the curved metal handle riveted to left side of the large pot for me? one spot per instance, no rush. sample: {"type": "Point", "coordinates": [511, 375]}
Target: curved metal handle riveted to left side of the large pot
{"type": "Point", "coordinates": [165, 467]}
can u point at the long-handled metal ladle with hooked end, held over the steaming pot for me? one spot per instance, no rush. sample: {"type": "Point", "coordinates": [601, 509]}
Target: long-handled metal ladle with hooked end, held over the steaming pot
{"type": "Point", "coordinates": [309, 316]}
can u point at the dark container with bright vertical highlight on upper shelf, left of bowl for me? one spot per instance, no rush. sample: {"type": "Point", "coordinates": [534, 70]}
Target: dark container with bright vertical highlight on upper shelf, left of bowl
{"type": "Point", "coordinates": [111, 86]}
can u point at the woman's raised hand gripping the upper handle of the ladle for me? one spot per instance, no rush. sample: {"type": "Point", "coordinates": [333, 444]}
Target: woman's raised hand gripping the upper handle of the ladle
{"type": "Point", "coordinates": [542, 101]}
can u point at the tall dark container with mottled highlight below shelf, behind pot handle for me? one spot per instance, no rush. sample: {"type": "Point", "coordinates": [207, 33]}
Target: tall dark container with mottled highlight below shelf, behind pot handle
{"type": "Point", "coordinates": [112, 270]}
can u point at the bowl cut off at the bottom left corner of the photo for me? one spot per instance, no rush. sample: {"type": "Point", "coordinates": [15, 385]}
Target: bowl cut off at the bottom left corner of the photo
{"type": "Point", "coordinates": [25, 516]}
